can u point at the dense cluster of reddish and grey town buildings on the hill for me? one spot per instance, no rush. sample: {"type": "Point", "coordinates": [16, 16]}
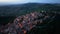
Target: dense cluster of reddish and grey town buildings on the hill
{"type": "Point", "coordinates": [24, 23]}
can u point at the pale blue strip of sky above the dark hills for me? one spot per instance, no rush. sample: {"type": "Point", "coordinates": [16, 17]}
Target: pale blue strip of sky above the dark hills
{"type": "Point", "coordinates": [5, 2]}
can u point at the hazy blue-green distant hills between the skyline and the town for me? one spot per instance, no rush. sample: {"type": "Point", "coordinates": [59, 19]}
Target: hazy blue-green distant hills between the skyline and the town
{"type": "Point", "coordinates": [20, 9]}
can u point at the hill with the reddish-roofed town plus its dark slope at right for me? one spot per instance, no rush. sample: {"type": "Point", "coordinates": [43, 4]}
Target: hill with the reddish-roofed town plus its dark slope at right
{"type": "Point", "coordinates": [33, 23]}
